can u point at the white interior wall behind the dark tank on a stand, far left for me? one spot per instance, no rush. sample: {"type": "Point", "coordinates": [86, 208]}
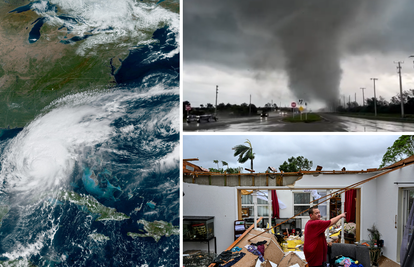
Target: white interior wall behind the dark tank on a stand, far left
{"type": "Point", "coordinates": [220, 202]}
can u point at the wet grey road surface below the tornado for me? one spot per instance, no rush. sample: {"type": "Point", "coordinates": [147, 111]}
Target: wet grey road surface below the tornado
{"type": "Point", "coordinates": [274, 123]}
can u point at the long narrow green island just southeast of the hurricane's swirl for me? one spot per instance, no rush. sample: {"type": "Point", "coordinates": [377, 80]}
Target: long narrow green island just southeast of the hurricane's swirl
{"type": "Point", "coordinates": [93, 206]}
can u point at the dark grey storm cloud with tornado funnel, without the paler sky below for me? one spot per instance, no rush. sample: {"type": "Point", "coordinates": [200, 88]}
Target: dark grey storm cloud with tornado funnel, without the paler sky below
{"type": "Point", "coordinates": [307, 39]}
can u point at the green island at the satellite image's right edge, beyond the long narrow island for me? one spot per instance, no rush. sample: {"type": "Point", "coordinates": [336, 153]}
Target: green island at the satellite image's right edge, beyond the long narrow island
{"type": "Point", "coordinates": [156, 230]}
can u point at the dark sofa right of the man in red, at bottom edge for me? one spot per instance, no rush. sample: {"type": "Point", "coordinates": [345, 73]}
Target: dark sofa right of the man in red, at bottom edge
{"type": "Point", "coordinates": [357, 252]}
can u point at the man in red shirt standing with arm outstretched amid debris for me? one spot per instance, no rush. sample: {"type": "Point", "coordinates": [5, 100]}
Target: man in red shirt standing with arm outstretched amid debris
{"type": "Point", "coordinates": [315, 246]}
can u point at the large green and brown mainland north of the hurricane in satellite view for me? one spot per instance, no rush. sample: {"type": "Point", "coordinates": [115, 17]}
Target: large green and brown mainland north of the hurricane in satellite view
{"type": "Point", "coordinates": [33, 75]}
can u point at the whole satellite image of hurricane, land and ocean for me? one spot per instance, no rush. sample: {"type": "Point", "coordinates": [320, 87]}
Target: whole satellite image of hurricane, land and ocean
{"type": "Point", "coordinates": [89, 133]}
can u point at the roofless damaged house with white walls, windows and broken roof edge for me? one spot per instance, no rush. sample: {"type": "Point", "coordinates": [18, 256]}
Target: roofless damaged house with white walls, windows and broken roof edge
{"type": "Point", "coordinates": [380, 197]}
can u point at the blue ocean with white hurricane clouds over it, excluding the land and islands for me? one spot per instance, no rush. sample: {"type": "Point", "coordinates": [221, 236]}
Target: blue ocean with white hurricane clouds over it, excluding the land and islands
{"type": "Point", "coordinates": [119, 146]}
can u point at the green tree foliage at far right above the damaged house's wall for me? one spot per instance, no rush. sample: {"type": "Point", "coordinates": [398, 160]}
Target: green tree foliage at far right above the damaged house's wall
{"type": "Point", "coordinates": [402, 148]}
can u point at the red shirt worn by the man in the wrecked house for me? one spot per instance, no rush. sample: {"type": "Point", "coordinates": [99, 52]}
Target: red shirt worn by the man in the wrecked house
{"type": "Point", "coordinates": [315, 246]}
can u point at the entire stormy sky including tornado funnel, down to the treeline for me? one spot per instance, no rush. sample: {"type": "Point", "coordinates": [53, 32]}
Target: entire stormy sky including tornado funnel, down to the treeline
{"type": "Point", "coordinates": [284, 50]}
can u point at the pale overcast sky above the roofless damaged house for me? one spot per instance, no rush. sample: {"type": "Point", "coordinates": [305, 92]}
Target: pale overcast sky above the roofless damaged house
{"type": "Point", "coordinates": [354, 152]}
